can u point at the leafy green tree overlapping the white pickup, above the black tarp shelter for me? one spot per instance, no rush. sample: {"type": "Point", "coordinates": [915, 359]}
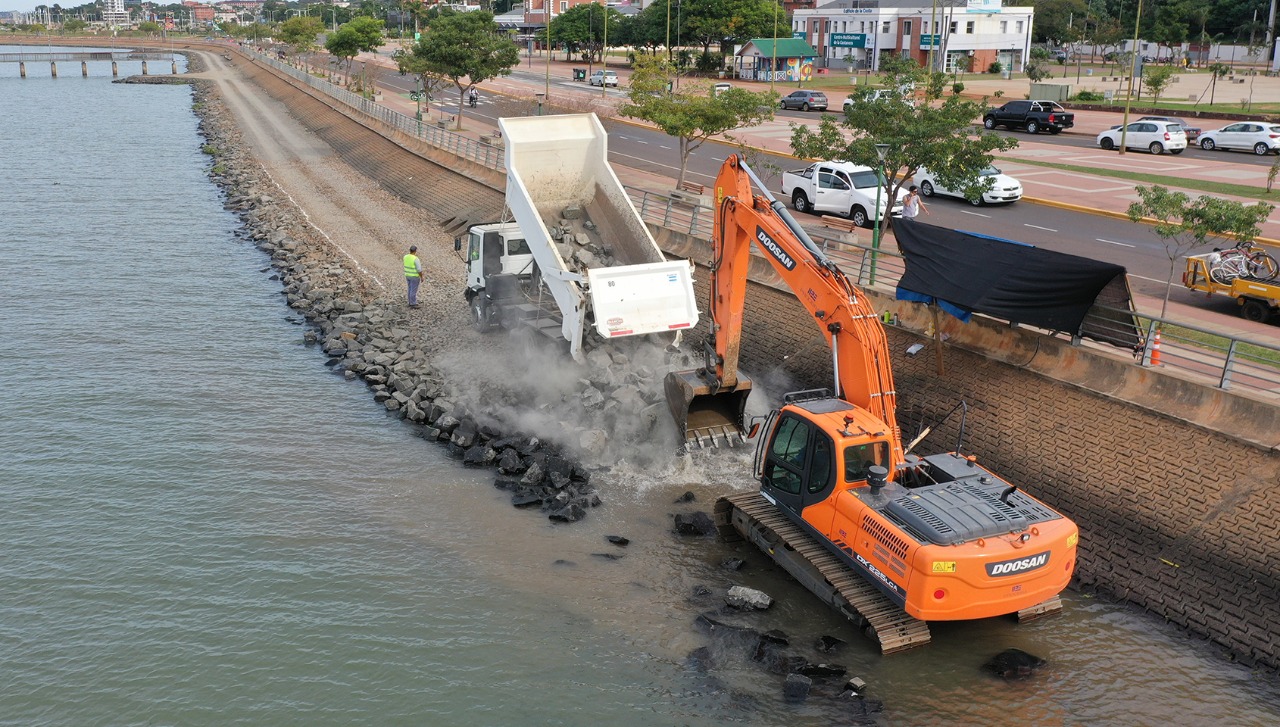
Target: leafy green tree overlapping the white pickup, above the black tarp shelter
{"type": "Point", "coordinates": [922, 135]}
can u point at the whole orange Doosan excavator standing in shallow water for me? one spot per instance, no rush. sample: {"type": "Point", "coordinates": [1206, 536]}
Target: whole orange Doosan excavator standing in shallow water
{"type": "Point", "coordinates": [888, 537]}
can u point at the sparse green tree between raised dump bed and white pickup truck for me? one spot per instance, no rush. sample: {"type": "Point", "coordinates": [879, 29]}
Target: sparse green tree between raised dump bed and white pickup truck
{"type": "Point", "coordinates": [693, 115]}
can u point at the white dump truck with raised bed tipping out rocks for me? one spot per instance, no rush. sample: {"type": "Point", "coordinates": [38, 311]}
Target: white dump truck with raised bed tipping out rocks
{"type": "Point", "coordinates": [575, 236]}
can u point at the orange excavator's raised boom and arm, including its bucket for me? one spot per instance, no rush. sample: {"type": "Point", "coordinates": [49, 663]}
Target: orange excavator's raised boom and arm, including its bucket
{"type": "Point", "coordinates": [863, 376]}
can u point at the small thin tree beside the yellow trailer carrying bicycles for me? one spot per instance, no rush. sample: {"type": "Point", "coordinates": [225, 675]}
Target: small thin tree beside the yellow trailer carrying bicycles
{"type": "Point", "coordinates": [1187, 225]}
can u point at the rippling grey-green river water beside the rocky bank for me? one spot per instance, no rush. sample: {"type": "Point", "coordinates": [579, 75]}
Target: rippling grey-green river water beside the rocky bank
{"type": "Point", "coordinates": [205, 527]}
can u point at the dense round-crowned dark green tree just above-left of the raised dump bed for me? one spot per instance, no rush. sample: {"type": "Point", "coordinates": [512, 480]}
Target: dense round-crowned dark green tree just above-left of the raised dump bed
{"type": "Point", "coordinates": [465, 47]}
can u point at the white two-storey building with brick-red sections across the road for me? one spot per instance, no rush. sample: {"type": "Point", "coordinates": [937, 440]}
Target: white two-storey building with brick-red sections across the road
{"type": "Point", "coordinates": [865, 31]}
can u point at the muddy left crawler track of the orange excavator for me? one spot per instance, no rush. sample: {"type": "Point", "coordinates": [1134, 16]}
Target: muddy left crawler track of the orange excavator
{"type": "Point", "coordinates": [752, 518]}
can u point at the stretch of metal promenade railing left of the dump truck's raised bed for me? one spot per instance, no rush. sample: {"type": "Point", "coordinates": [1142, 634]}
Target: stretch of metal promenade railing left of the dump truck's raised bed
{"type": "Point", "coordinates": [491, 157]}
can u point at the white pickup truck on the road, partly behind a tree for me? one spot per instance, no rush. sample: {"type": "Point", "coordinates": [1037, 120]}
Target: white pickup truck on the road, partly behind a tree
{"type": "Point", "coordinates": [838, 188]}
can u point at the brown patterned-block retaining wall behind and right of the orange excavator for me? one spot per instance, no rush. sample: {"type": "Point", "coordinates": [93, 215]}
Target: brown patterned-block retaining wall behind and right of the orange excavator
{"type": "Point", "coordinates": [1173, 518]}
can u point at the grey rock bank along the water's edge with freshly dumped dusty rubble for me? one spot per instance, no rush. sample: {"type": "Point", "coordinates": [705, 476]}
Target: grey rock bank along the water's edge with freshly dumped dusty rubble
{"type": "Point", "coordinates": [543, 441]}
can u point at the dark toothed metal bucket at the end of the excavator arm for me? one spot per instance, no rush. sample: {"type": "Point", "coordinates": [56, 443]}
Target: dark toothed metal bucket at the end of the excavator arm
{"type": "Point", "coordinates": [708, 417]}
